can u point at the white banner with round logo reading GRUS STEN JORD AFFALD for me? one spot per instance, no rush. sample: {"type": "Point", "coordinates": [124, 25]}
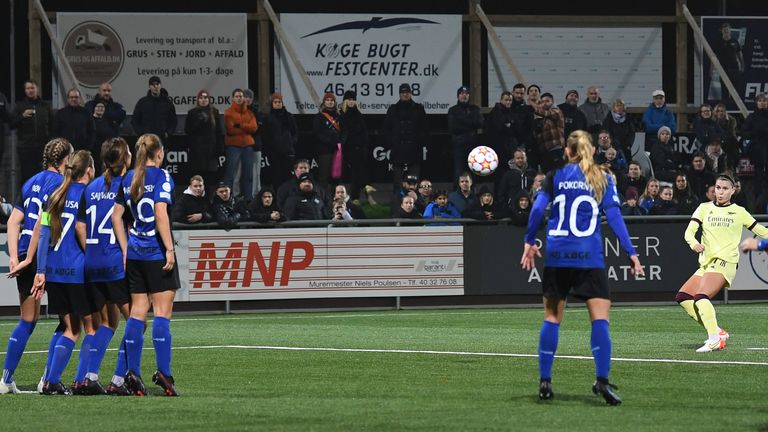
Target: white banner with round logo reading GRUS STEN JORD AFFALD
{"type": "Point", "coordinates": [188, 52]}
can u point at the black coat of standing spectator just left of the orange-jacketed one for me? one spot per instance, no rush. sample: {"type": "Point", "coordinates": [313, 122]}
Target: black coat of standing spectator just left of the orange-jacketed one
{"type": "Point", "coordinates": [205, 134]}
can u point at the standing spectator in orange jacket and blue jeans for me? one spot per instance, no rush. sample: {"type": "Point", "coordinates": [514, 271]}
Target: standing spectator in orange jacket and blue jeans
{"type": "Point", "coordinates": [240, 124]}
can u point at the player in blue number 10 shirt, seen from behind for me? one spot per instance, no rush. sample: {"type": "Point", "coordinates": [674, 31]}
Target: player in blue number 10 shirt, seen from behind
{"type": "Point", "coordinates": [579, 192]}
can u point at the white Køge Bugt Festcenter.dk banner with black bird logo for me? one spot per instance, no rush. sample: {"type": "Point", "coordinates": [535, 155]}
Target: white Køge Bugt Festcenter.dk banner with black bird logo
{"type": "Point", "coordinates": [372, 55]}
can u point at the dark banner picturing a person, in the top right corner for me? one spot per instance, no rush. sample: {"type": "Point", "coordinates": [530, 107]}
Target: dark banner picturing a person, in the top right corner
{"type": "Point", "coordinates": [741, 46]}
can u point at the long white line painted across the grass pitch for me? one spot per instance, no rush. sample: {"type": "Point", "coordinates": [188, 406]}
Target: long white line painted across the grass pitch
{"type": "Point", "coordinates": [449, 353]}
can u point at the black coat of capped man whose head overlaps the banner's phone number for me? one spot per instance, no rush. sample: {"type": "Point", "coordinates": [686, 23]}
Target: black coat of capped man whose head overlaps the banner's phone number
{"type": "Point", "coordinates": [407, 131]}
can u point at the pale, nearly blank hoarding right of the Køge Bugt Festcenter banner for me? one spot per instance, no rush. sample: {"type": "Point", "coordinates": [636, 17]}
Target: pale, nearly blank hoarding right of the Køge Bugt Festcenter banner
{"type": "Point", "coordinates": [623, 63]}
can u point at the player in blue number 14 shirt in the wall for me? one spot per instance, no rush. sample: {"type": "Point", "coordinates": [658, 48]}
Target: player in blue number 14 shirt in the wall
{"type": "Point", "coordinates": [104, 270]}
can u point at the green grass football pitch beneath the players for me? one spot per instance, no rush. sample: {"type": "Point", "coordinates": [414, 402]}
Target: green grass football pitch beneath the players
{"type": "Point", "coordinates": [422, 370]}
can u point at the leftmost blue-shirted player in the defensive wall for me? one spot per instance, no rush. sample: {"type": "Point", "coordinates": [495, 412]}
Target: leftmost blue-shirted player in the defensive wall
{"type": "Point", "coordinates": [21, 249]}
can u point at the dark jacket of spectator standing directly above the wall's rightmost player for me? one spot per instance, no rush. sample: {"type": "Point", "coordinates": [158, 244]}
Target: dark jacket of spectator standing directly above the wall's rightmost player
{"type": "Point", "coordinates": [154, 114]}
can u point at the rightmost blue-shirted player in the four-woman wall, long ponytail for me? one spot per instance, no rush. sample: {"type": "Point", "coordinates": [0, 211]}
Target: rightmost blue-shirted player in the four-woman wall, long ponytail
{"type": "Point", "coordinates": [150, 266]}
